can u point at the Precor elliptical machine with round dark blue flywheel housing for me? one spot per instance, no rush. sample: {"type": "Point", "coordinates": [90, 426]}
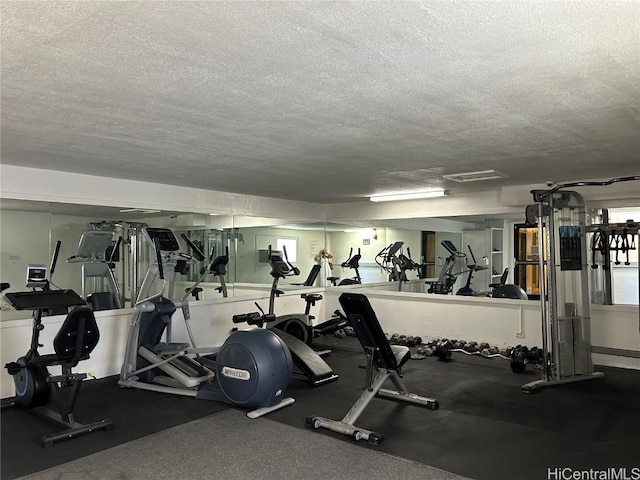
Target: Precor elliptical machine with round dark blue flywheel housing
{"type": "Point", "coordinates": [251, 369]}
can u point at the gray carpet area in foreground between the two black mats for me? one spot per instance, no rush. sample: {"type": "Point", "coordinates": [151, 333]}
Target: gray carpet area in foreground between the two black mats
{"type": "Point", "coordinates": [228, 446]}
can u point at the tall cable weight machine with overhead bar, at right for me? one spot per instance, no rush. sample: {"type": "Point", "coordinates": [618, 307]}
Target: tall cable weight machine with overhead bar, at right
{"type": "Point", "coordinates": [563, 277]}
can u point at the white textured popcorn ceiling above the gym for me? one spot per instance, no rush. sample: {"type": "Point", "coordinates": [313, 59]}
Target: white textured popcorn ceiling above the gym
{"type": "Point", "coordinates": [322, 101]}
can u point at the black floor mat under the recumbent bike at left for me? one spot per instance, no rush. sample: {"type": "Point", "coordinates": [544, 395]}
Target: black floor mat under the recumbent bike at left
{"type": "Point", "coordinates": [135, 414]}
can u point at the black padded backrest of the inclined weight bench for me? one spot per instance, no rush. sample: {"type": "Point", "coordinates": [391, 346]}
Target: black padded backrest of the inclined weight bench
{"type": "Point", "coordinates": [367, 327]}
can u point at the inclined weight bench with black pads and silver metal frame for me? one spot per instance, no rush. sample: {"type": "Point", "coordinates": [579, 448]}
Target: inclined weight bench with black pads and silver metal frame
{"type": "Point", "coordinates": [383, 359]}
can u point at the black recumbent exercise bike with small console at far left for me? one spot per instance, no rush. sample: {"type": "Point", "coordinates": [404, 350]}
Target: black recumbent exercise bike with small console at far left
{"type": "Point", "coordinates": [53, 397]}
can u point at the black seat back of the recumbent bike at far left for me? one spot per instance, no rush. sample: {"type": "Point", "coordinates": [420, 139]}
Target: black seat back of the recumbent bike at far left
{"type": "Point", "coordinates": [77, 337]}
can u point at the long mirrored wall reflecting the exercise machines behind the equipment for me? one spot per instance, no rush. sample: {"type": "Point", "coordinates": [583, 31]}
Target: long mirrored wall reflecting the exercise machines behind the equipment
{"type": "Point", "coordinates": [116, 258]}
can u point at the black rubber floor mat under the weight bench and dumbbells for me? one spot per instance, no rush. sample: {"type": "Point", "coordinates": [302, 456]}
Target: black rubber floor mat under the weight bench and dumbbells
{"type": "Point", "coordinates": [486, 427]}
